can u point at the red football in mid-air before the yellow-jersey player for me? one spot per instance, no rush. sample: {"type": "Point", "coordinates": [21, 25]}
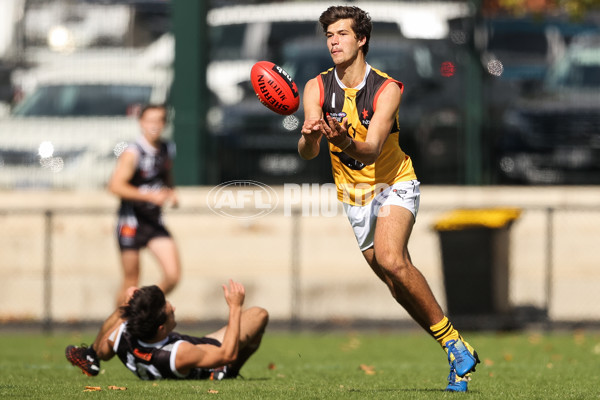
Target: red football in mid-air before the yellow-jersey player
{"type": "Point", "coordinates": [275, 88]}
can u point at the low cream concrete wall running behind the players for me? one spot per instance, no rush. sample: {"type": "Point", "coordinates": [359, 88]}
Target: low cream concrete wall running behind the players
{"type": "Point", "coordinates": [304, 267]}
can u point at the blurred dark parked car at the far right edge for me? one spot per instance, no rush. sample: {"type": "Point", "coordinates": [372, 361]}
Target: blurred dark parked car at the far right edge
{"type": "Point", "coordinates": [553, 137]}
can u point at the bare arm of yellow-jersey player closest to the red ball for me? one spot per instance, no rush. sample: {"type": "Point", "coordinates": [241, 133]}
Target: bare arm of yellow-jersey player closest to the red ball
{"type": "Point", "coordinates": [309, 143]}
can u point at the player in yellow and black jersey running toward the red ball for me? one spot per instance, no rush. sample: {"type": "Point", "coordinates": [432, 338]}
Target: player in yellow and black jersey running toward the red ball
{"type": "Point", "coordinates": [355, 107]}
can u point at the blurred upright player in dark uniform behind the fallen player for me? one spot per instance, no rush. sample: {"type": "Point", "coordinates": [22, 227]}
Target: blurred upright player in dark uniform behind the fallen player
{"type": "Point", "coordinates": [143, 181]}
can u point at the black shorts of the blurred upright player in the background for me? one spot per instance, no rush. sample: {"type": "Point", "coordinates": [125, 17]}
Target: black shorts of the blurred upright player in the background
{"type": "Point", "coordinates": [134, 232]}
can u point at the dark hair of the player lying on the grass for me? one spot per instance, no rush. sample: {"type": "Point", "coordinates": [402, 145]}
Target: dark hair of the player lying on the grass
{"type": "Point", "coordinates": [145, 312]}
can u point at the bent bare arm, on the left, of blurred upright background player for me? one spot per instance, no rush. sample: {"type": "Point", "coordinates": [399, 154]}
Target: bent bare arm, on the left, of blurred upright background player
{"type": "Point", "coordinates": [120, 186]}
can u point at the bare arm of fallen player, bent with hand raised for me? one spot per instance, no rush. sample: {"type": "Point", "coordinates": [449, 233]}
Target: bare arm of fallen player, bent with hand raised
{"type": "Point", "coordinates": [206, 356]}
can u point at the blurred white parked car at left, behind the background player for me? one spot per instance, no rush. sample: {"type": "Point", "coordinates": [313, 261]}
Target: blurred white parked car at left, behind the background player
{"type": "Point", "coordinates": [73, 122]}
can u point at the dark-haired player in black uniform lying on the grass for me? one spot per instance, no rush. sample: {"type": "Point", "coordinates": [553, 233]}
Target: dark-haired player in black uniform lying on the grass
{"type": "Point", "coordinates": [140, 333]}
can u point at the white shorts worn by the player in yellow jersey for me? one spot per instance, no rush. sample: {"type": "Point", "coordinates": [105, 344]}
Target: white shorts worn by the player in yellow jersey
{"type": "Point", "coordinates": [363, 218]}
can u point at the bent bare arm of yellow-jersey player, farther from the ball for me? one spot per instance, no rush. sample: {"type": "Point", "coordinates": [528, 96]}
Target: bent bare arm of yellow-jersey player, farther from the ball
{"type": "Point", "coordinates": [368, 151]}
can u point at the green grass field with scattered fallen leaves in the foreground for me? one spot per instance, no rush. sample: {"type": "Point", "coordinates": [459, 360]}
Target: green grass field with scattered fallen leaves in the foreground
{"type": "Point", "coordinates": [353, 365]}
